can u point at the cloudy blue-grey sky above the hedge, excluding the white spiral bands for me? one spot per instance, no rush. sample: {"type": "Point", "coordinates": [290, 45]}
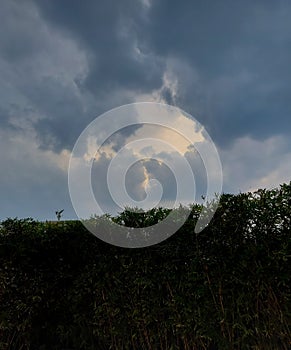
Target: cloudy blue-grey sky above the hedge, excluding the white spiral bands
{"type": "Point", "coordinates": [64, 63]}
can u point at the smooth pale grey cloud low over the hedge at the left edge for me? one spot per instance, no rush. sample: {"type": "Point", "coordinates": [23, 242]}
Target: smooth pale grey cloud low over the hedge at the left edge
{"type": "Point", "coordinates": [31, 185]}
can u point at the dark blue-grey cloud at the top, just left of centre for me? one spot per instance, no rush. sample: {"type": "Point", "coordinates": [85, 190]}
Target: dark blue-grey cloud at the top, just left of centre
{"type": "Point", "coordinates": [106, 30]}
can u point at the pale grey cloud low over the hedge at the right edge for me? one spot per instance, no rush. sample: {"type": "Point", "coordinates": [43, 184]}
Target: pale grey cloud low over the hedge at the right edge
{"type": "Point", "coordinates": [249, 164]}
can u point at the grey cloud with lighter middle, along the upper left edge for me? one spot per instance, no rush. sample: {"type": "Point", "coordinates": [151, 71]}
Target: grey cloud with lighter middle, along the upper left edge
{"type": "Point", "coordinates": [34, 87]}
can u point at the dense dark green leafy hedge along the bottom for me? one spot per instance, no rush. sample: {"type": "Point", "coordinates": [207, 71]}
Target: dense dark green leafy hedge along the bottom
{"type": "Point", "coordinates": [227, 287]}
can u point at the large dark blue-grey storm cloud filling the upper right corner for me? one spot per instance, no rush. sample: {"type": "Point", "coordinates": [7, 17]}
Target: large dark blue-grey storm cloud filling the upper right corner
{"type": "Point", "coordinates": [238, 57]}
